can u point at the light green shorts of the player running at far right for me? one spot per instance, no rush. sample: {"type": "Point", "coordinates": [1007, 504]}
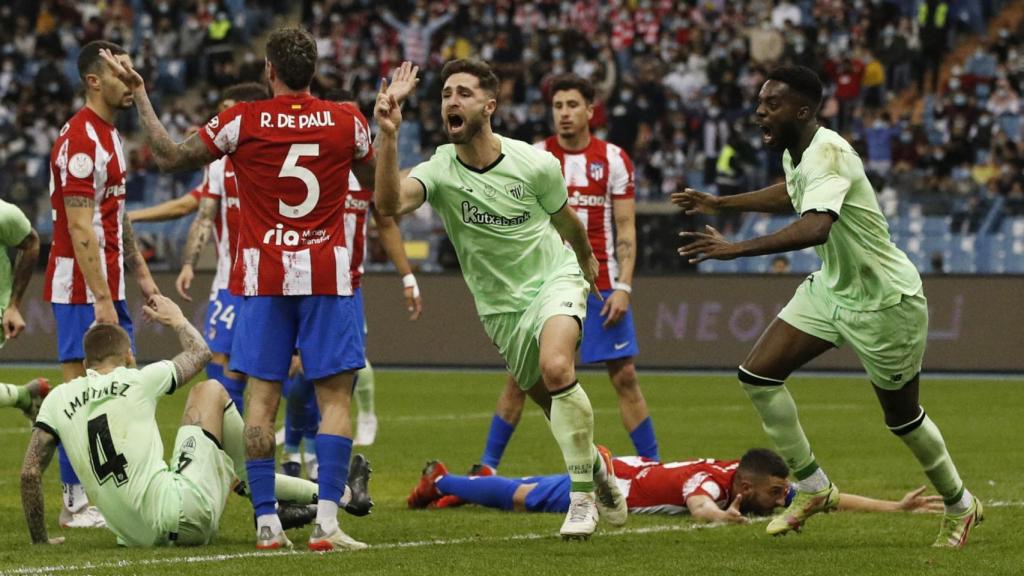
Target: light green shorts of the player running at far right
{"type": "Point", "coordinates": [890, 343]}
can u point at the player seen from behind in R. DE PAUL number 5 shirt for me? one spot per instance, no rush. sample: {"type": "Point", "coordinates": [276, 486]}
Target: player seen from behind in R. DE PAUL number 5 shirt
{"type": "Point", "coordinates": [292, 157]}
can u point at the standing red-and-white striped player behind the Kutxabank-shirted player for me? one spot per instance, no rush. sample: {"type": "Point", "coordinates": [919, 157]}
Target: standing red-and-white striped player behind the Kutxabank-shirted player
{"type": "Point", "coordinates": [600, 178]}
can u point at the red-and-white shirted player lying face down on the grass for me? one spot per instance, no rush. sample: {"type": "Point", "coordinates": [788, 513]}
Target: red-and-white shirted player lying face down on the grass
{"type": "Point", "coordinates": [711, 490]}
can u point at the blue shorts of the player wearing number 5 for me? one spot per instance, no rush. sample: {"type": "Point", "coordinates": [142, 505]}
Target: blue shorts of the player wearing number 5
{"type": "Point", "coordinates": [323, 328]}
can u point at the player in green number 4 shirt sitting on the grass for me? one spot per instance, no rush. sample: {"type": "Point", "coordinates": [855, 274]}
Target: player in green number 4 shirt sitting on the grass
{"type": "Point", "coordinates": [107, 423]}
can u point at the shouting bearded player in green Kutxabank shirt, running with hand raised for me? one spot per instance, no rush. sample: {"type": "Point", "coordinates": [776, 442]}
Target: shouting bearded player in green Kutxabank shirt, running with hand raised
{"type": "Point", "coordinates": [505, 208]}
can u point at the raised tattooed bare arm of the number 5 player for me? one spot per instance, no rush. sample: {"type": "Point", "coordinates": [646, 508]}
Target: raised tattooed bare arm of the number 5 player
{"type": "Point", "coordinates": [170, 156]}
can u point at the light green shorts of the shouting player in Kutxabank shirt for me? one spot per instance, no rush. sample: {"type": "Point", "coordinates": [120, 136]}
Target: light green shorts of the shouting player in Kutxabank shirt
{"type": "Point", "coordinates": [518, 335]}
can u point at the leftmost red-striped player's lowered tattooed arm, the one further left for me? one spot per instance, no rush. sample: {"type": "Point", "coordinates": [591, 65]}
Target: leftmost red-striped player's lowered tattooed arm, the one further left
{"type": "Point", "coordinates": [89, 256]}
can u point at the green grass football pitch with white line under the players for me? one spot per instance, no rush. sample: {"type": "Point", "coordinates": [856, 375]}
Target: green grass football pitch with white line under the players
{"type": "Point", "coordinates": [446, 416]}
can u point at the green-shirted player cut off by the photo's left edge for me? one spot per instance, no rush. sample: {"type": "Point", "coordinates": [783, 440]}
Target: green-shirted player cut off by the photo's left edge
{"type": "Point", "coordinates": [17, 234]}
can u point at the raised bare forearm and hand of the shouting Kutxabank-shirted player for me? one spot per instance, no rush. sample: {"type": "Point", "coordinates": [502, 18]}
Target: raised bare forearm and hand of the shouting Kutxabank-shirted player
{"type": "Point", "coordinates": [393, 195]}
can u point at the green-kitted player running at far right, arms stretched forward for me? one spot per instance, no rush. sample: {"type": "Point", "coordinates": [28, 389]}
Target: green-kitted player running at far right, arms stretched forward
{"type": "Point", "coordinates": [868, 294]}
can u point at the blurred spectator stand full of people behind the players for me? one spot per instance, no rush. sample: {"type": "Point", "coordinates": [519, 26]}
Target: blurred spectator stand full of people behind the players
{"type": "Point", "coordinates": [677, 87]}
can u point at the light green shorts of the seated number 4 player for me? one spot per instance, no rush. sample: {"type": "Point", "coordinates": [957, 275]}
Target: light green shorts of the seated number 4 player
{"type": "Point", "coordinates": [205, 476]}
